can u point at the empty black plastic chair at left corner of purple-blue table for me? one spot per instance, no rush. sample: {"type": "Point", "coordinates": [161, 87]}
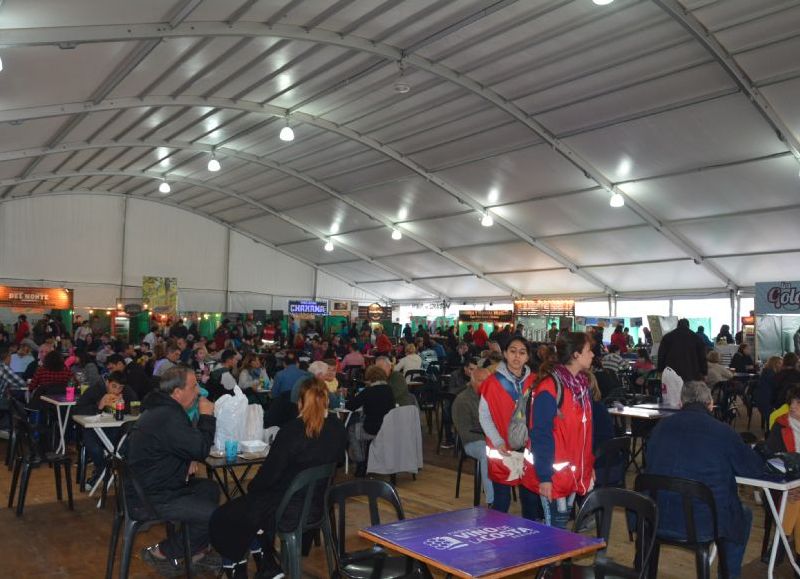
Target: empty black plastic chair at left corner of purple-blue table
{"type": "Point", "coordinates": [374, 562]}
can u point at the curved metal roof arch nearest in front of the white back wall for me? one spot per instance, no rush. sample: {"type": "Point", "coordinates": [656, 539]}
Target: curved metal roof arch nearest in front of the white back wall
{"type": "Point", "coordinates": [230, 193]}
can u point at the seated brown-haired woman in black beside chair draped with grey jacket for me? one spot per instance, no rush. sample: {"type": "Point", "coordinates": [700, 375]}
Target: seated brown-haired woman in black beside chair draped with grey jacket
{"type": "Point", "coordinates": [376, 400]}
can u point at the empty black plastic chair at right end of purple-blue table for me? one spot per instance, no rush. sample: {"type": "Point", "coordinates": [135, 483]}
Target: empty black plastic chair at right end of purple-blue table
{"type": "Point", "coordinates": [599, 506]}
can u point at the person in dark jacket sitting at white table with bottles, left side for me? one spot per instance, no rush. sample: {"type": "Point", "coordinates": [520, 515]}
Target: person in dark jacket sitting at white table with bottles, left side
{"type": "Point", "coordinates": [94, 401]}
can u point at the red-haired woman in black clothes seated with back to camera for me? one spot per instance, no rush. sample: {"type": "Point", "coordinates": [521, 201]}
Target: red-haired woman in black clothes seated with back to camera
{"type": "Point", "coordinates": [312, 439]}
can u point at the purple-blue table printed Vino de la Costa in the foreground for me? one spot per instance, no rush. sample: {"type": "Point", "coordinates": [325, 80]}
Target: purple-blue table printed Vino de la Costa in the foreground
{"type": "Point", "coordinates": [479, 542]}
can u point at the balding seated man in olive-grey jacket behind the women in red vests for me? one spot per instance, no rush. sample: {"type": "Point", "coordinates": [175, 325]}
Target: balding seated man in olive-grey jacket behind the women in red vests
{"type": "Point", "coordinates": [468, 426]}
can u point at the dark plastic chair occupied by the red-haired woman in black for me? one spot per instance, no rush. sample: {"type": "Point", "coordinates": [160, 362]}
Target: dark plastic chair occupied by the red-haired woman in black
{"type": "Point", "coordinates": [313, 482]}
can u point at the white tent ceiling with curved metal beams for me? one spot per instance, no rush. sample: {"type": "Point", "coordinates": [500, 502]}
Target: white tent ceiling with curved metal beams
{"type": "Point", "coordinates": [535, 112]}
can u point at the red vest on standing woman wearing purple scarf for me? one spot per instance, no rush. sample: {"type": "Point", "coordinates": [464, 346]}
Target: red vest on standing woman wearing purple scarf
{"type": "Point", "coordinates": [573, 462]}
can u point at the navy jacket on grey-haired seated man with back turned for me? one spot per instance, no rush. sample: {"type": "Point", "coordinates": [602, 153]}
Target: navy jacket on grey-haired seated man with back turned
{"type": "Point", "coordinates": [692, 444]}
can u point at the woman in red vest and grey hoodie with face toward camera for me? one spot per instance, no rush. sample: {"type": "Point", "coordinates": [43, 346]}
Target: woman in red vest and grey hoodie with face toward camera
{"type": "Point", "coordinates": [499, 395]}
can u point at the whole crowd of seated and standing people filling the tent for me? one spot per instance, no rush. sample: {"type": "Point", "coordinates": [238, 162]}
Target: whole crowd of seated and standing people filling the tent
{"type": "Point", "coordinates": [534, 415]}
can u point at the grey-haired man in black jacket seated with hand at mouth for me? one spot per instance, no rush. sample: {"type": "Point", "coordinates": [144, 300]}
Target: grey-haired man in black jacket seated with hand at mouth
{"type": "Point", "coordinates": [163, 451]}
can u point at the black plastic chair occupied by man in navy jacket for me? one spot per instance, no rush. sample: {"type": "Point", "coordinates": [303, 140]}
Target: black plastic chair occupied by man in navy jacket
{"type": "Point", "coordinates": [691, 492]}
